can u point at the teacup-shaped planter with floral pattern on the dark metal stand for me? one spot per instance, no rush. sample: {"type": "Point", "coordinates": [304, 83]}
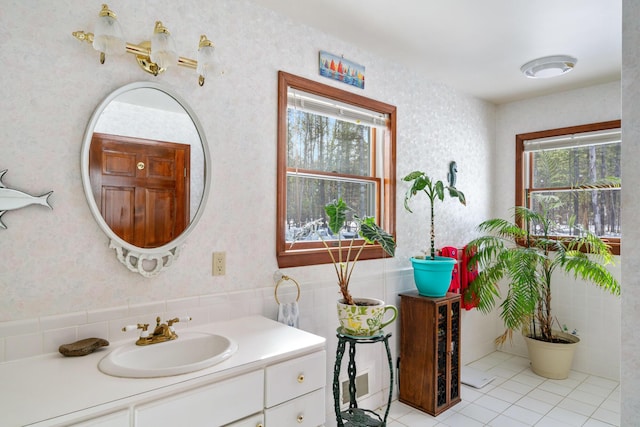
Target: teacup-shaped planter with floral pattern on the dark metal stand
{"type": "Point", "coordinates": [366, 318]}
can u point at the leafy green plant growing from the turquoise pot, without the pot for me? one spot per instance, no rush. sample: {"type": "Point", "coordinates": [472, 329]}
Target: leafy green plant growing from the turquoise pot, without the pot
{"type": "Point", "coordinates": [434, 190]}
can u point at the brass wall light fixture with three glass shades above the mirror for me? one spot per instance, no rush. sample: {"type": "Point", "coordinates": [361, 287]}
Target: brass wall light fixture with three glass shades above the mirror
{"type": "Point", "coordinates": [153, 56]}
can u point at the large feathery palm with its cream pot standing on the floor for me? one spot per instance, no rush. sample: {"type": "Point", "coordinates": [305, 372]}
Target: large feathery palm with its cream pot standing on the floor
{"type": "Point", "coordinates": [527, 253]}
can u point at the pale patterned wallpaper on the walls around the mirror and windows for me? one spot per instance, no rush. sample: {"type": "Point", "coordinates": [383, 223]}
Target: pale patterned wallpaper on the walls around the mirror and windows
{"type": "Point", "coordinates": [57, 263]}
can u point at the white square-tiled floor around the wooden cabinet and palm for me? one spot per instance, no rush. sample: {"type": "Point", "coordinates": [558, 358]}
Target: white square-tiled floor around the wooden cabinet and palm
{"type": "Point", "coordinates": [518, 397]}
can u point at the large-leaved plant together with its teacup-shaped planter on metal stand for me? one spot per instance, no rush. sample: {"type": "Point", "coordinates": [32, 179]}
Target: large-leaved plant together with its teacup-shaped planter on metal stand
{"type": "Point", "coordinates": [357, 316]}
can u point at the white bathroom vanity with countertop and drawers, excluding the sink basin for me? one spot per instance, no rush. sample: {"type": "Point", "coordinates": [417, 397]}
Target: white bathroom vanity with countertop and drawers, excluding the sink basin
{"type": "Point", "coordinates": [276, 378]}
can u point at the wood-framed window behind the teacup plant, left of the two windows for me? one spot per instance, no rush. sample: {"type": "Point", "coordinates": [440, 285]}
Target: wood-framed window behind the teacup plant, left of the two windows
{"type": "Point", "coordinates": [331, 144]}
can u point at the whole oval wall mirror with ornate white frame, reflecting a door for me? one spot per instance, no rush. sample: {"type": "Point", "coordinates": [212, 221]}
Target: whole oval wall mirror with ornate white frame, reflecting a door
{"type": "Point", "coordinates": [145, 172]}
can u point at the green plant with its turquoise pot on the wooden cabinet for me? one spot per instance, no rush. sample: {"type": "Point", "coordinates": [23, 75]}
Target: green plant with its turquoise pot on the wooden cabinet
{"type": "Point", "coordinates": [431, 273]}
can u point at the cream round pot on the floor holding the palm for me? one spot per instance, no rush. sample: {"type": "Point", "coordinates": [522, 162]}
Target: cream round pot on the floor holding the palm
{"type": "Point", "coordinates": [552, 360]}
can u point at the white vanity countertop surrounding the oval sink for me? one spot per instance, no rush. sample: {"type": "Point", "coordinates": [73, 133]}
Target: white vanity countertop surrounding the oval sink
{"type": "Point", "coordinates": [52, 385]}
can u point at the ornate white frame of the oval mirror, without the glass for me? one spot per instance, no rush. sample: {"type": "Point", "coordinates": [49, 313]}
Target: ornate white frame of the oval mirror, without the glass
{"type": "Point", "coordinates": [146, 261]}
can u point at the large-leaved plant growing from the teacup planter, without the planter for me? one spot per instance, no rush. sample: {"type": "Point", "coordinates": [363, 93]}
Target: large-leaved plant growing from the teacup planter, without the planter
{"type": "Point", "coordinates": [347, 253]}
